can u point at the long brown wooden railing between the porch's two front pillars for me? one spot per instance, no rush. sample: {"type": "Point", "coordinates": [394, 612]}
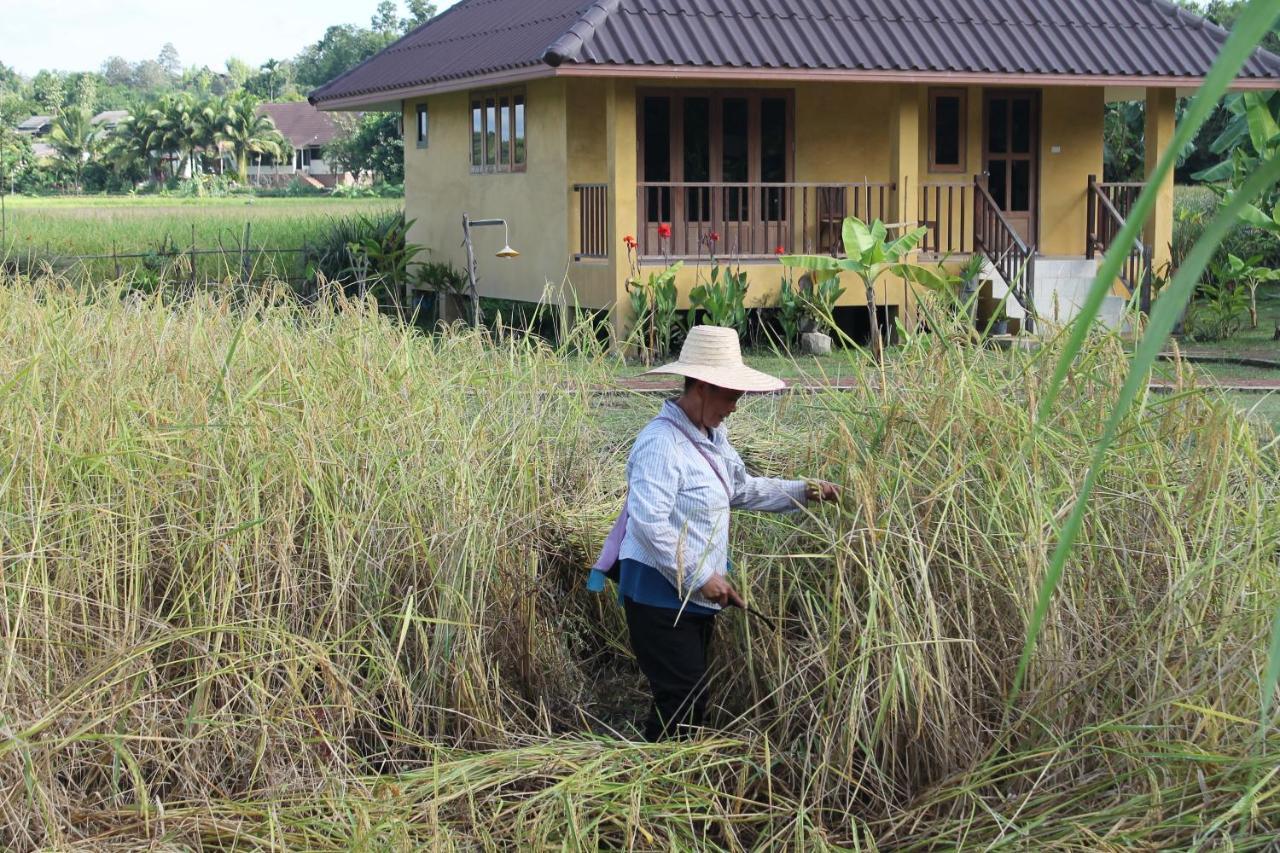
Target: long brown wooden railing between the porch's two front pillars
{"type": "Point", "coordinates": [755, 220]}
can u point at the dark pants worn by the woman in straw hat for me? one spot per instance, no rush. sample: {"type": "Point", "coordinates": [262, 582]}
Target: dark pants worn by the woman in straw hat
{"type": "Point", "coordinates": [674, 656]}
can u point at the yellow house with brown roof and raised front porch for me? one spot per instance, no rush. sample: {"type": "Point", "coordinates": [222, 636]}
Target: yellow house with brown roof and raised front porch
{"type": "Point", "coordinates": [747, 129]}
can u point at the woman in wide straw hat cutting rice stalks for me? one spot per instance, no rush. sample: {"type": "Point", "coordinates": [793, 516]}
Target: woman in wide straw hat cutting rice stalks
{"type": "Point", "coordinates": [669, 551]}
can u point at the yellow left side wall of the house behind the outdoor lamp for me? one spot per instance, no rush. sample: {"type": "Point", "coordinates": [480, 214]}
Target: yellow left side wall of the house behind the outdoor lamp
{"type": "Point", "coordinates": [440, 188]}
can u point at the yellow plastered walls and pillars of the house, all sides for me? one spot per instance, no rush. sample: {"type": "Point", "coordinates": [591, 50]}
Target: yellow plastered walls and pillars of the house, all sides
{"type": "Point", "coordinates": [583, 131]}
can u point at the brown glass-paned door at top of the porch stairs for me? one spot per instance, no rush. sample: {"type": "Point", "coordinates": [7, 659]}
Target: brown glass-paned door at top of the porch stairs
{"type": "Point", "coordinates": [1012, 157]}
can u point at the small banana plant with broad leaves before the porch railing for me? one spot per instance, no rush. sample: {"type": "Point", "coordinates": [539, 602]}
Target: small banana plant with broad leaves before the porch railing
{"type": "Point", "coordinates": [870, 256]}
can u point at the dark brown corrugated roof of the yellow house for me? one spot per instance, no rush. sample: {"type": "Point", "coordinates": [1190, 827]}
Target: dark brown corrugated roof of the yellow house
{"type": "Point", "coordinates": [1140, 40]}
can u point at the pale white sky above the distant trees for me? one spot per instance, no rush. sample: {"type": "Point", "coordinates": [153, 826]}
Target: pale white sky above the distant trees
{"type": "Point", "coordinates": [79, 35]}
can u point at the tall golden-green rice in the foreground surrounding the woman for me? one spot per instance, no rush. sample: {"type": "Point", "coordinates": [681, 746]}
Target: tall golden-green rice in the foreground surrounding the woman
{"type": "Point", "coordinates": [282, 578]}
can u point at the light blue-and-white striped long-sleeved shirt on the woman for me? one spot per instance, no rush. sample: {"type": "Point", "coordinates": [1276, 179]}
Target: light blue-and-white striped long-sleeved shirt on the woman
{"type": "Point", "coordinates": [679, 508]}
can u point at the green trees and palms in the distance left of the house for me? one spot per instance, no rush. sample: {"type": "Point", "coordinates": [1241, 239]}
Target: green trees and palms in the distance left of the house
{"type": "Point", "coordinates": [185, 122]}
